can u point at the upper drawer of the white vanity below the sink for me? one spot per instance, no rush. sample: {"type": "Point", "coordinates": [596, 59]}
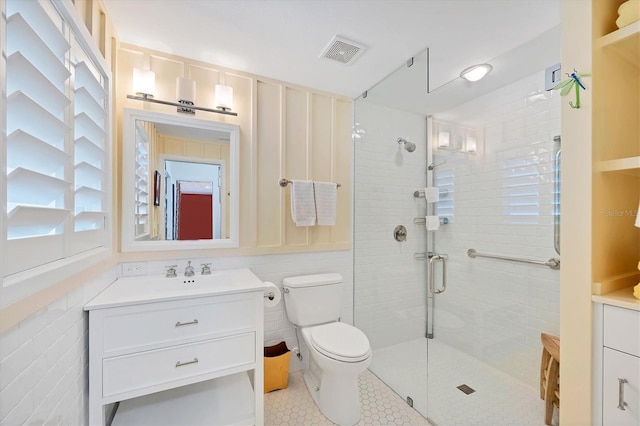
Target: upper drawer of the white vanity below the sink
{"type": "Point", "coordinates": [138, 327]}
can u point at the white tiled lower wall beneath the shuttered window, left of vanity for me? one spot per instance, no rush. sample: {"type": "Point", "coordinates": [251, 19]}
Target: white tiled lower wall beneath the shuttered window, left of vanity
{"type": "Point", "coordinates": [44, 362]}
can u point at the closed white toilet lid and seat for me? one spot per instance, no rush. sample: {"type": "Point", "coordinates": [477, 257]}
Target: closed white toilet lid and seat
{"type": "Point", "coordinates": [340, 341]}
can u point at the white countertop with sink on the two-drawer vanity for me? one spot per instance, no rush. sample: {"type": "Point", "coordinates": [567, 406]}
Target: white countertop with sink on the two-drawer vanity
{"type": "Point", "coordinates": [155, 288]}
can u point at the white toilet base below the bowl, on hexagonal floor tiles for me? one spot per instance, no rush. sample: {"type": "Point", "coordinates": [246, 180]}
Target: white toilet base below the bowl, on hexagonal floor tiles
{"type": "Point", "coordinates": [337, 397]}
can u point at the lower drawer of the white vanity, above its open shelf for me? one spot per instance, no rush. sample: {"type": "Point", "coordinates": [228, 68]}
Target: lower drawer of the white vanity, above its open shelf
{"type": "Point", "coordinates": [151, 368]}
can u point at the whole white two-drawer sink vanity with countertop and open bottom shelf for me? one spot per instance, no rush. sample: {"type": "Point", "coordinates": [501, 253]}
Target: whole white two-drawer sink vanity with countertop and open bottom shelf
{"type": "Point", "coordinates": [183, 351]}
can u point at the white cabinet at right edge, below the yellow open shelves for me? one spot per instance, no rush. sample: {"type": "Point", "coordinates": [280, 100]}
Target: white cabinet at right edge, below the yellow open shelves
{"type": "Point", "coordinates": [617, 365]}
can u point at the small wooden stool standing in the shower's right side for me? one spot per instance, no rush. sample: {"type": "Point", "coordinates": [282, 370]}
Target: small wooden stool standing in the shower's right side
{"type": "Point", "coordinates": [550, 375]}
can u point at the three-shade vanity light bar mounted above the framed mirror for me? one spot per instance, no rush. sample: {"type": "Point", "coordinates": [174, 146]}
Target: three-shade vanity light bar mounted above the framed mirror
{"type": "Point", "coordinates": [144, 88]}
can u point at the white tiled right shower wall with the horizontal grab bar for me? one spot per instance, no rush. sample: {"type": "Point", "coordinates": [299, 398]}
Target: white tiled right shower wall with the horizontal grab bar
{"type": "Point", "coordinates": [501, 202]}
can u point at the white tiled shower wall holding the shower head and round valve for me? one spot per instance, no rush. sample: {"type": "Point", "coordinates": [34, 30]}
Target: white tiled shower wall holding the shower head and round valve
{"type": "Point", "coordinates": [390, 285]}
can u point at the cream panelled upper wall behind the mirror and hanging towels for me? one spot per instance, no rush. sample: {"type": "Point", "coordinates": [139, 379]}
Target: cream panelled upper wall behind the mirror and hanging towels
{"type": "Point", "coordinates": [286, 131]}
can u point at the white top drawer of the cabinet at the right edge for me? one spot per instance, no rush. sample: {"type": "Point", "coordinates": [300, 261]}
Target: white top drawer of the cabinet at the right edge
{"type": "Point", "coordinates": [622, 329]}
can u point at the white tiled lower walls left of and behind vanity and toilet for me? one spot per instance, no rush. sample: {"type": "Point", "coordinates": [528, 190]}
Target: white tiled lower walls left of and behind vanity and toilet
{"type": "Point", "coordinates": [44, 359]}
